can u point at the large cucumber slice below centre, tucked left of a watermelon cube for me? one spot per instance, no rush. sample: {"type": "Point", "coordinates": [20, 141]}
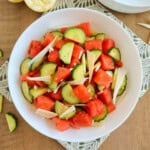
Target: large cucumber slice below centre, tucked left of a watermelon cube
{"type": "Point", "coordinates": [68, 94]}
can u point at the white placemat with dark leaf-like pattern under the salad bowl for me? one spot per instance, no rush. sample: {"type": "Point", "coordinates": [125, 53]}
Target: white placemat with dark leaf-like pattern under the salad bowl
{"type": "Point", "coordinates": [144, 51]}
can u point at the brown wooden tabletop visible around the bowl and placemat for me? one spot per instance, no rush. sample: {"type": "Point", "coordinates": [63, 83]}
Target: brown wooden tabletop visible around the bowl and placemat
{"type": "Point", "coordinates": [134, 134]}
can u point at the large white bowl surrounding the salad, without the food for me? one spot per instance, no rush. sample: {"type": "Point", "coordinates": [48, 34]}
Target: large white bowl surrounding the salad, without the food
{"type": "Point", "coordinates": [101, 23]}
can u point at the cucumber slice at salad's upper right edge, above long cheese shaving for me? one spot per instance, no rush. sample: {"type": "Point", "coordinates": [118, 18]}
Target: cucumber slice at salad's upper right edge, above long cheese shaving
{"type": "Point", "coordinates": [115, 54]}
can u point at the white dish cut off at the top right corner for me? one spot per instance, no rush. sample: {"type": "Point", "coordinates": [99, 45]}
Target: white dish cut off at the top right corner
{"type": "Point", "coordinates": [127, 6]}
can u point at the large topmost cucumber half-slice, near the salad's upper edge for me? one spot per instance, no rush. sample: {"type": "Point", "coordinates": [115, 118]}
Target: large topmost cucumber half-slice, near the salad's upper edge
{"type": "Point", "coordinates": [75, 34]}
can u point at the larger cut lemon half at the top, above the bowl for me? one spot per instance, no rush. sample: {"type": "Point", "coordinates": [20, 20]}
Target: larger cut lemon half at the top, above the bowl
{"type": "Point", "coordinates": [40, 5]}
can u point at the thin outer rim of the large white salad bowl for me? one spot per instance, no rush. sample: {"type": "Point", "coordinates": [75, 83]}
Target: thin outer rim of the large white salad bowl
{"type": "Point", "coordinates": [118, 25]}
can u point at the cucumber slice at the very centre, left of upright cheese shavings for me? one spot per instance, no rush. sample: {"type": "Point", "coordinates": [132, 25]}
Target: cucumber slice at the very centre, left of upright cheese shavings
{"type": "Point", "coordinates": [78, 72]}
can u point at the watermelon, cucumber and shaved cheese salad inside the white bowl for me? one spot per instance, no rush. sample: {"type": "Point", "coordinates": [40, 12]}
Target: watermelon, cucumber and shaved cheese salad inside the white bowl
{"type": "Point", "coordinates": [73, 76]}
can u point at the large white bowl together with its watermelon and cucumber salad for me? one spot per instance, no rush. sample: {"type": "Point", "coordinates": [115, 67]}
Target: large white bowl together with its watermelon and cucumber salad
{"type": "Point", "coordinates": [65, 77]}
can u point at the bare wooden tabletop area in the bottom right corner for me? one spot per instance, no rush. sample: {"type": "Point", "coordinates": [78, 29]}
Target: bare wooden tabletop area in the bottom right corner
{"type": "Point", "coordinates": [134, 134]}
